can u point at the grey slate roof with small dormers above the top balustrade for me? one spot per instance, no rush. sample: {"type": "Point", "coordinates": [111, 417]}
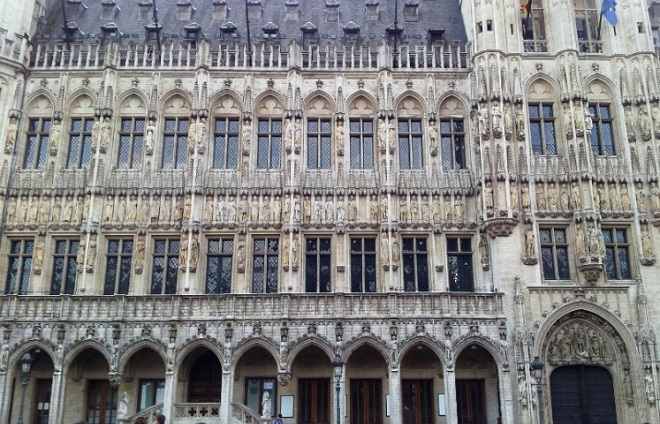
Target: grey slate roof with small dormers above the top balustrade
{"type": "Point", "coordinates": [432, 15]}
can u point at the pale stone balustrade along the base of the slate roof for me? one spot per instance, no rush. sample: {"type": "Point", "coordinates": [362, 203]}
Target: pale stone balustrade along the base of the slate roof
{"type": "Point", "coordinates": [185, 55]}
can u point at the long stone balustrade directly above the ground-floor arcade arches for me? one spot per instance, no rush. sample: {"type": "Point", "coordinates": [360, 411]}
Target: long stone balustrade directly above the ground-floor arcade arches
{"type": "Point", "coordinates": [278, 306]}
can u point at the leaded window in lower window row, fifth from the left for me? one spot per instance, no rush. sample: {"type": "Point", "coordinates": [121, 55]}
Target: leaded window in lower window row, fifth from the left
{"type": "Point", "coordinates": [219, 265]}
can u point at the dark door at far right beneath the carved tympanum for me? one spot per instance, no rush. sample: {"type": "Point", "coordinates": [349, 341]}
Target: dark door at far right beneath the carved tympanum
{"type": "Point", "coordinates": [582, 394]}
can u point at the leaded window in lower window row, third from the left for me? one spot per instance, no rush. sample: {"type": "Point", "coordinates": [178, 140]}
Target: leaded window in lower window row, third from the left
{"type": "Point", "coordinates": [119, 261]}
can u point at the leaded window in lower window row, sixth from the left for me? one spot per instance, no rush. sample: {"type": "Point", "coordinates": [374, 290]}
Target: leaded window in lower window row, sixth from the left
{"type": "Point", "coordinates": [265, 257]}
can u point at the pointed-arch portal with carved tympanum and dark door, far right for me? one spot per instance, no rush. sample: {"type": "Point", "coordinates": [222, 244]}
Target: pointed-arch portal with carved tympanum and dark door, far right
{"type": "Point", "coordinates": [589, 370]}
